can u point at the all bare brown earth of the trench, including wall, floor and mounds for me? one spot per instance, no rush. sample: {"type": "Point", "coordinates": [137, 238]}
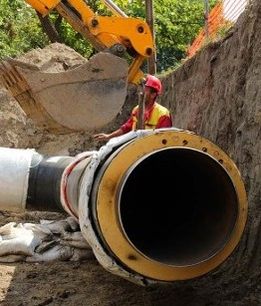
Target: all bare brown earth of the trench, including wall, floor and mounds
{"type": "Point", "coordinates": [217, 94]}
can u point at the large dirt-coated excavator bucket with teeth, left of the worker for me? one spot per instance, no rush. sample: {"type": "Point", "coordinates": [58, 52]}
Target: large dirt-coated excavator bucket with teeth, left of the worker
{"type": "Point", "coordinates": [85, 98]}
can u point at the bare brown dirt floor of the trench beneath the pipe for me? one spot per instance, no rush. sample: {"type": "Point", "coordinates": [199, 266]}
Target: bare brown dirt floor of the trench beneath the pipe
{"type": "Point", "coordinates": [87, 283]}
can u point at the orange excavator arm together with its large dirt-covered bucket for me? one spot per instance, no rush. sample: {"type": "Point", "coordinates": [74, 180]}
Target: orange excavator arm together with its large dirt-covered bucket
{"type": "Point", "coordinates": [89, 96]}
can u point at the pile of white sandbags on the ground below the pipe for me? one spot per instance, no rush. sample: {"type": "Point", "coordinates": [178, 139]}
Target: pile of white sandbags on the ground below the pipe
{"type": "Point", "coordinates": [47, 241]}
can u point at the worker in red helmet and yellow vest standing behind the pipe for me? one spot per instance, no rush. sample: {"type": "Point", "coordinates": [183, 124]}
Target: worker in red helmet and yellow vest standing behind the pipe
{"type": "Point", "coordinates": [156, 116]}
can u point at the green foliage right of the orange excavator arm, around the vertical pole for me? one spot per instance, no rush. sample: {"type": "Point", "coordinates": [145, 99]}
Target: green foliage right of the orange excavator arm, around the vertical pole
{"type": "Point", "coordinates": [177, 22]}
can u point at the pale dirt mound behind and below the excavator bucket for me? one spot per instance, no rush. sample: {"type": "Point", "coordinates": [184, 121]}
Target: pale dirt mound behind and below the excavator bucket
{"type": "Point", "coordinates": [19, 131]}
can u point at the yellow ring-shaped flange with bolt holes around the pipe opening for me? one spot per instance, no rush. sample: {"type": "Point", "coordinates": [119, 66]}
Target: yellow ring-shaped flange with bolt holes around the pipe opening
{"type": "Point", "coordinates": [107, 210]}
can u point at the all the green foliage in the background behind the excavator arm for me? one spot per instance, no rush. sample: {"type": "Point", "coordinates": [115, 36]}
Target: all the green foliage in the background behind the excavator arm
{"type": "Point", "coordinates": [176, 24]}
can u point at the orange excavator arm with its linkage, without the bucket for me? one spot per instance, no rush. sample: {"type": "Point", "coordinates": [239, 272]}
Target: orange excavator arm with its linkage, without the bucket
{"type": "Point", "coordinates": [105, 32]}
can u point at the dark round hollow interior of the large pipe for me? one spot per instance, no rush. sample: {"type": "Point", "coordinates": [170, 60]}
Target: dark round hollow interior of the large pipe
{"type": "Point", "coordinates": [178, 207]}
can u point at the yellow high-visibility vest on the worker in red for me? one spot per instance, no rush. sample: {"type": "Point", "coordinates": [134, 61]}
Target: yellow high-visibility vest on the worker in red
{"type": "Point", "coordinates": [150, 123]}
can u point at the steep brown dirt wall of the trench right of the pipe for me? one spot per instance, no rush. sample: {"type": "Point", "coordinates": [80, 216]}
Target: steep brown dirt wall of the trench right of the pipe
{"type": "Point", "coordinates": [217, 94]}
